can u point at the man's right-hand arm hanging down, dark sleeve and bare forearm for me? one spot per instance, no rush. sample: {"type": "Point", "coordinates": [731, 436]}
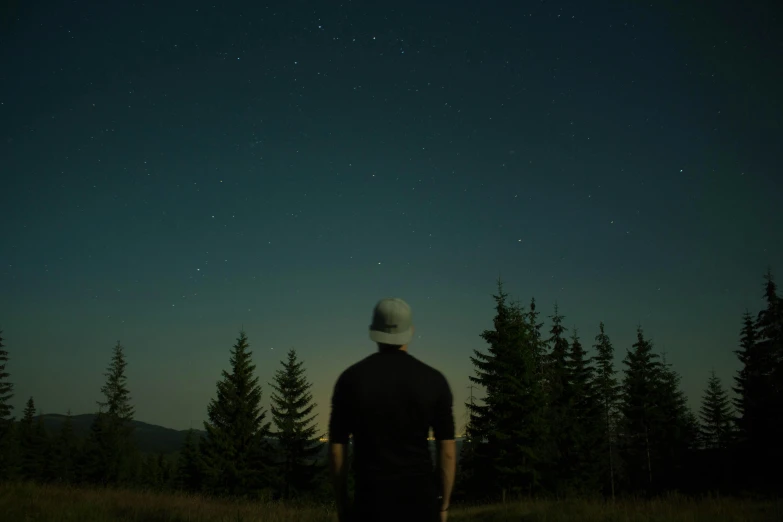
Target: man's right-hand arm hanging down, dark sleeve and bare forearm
{"type": "Point", "coordinates": [443, 431]}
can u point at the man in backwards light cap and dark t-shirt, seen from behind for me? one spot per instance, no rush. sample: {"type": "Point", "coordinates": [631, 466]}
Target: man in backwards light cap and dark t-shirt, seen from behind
{"type": "Point", "coordinates": [388, 401]}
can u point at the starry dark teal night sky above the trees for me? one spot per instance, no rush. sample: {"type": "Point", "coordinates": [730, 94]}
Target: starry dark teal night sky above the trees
{"type": "Point", "coordinates": [171, 172]}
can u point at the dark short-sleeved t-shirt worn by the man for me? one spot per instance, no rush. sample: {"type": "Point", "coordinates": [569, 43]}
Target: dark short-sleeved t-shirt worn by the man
{"type": "Point", "coordinates": [389, 401]}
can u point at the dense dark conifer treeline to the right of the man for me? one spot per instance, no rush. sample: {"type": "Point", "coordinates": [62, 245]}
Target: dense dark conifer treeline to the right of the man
{"type": "Point", "coordinates": [559, 422]}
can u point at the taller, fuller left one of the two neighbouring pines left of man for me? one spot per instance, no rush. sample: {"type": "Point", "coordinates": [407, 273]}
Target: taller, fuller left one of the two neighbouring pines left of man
{"type": "Point", "coordinates": [236, 448]}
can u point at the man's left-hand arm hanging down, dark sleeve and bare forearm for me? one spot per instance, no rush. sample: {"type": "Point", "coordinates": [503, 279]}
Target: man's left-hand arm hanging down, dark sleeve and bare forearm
{"type": "Point", "coordinates": [339, 432]}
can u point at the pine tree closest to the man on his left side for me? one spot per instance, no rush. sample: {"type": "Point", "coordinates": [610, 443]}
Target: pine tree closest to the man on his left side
{"type": "Point", "coordinates": [296, 437]}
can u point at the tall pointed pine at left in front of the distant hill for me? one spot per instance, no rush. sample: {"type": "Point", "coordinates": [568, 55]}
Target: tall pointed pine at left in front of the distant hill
{"type": "Point", "coordinates": [111, 450]}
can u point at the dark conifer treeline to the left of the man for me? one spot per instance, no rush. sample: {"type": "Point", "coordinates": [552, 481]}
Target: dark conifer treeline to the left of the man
{"type": "Point", "coordinates": [246, 451]}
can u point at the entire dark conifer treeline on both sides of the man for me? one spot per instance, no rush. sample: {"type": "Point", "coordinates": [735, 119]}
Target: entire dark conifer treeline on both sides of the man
{"type": "Point", "coordinates": [555, 421]}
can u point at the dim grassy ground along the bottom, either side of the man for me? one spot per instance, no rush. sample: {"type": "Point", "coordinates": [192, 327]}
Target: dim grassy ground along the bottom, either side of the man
{"type": "Point", "coordinates": [29, 503]}
